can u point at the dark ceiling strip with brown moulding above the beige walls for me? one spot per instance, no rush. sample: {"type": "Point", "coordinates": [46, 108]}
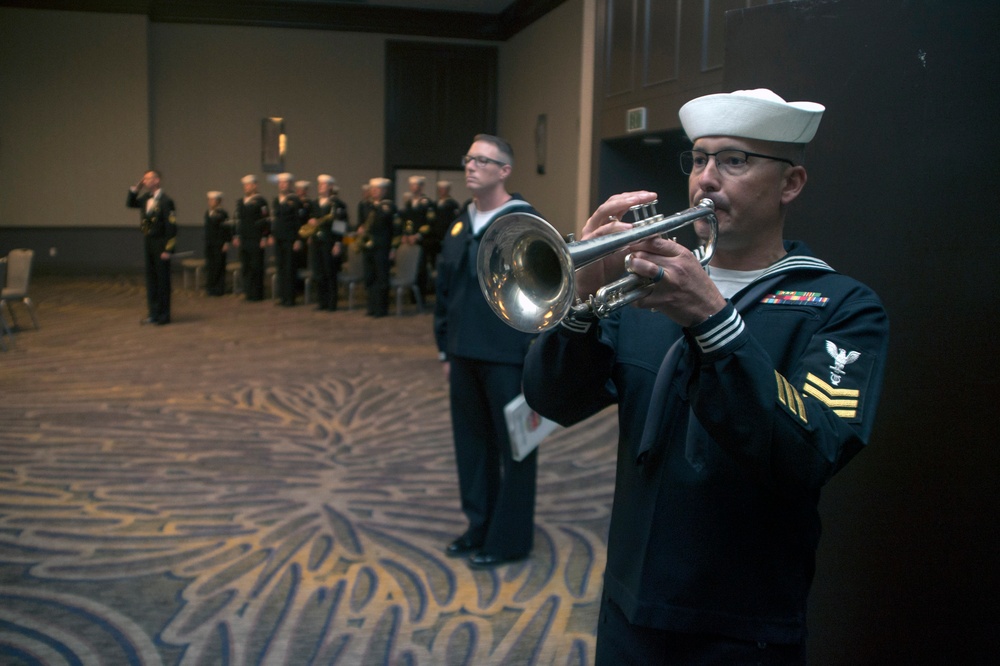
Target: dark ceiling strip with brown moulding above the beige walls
{"type": "Point", "coordinates": [495, 20]}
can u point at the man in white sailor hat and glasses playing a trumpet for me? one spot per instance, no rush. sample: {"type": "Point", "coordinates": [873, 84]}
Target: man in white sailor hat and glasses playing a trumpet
{"type": "Point", "coordinates": [741, 388]}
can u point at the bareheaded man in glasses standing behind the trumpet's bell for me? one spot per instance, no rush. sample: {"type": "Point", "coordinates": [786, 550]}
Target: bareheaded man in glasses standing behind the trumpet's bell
{"type": "Point", "coordinates": [483, 360]}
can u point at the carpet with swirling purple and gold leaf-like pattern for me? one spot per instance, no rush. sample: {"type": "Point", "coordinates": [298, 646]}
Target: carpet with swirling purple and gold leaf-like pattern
{"type": "Point", "coordinates": [263, 485]}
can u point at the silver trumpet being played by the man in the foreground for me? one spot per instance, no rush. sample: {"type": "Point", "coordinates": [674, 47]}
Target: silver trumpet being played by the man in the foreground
{"type": "Point", "coordinates": [526, 268]}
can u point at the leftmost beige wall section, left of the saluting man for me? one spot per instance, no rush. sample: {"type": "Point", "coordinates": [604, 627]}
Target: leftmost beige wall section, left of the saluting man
{"type": "Point", "coordinates": [74, 116]}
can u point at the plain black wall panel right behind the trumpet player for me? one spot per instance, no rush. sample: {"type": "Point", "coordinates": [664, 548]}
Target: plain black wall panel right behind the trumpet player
{"type": "Point", "coordinates": [902, 195]}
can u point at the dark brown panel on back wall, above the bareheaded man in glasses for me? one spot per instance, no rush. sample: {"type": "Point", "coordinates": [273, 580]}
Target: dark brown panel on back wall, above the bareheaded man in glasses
{"type": "Point", "coordinates": [437, 98]}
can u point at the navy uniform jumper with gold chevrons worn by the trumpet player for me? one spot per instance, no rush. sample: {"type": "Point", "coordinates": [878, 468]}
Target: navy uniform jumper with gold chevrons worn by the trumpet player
{"type": "Point", "coordinates": [721, 457]}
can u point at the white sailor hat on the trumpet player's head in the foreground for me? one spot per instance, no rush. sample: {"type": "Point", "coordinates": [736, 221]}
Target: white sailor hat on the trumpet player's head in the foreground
{"type": "Point", "coordinates": [751, 114]}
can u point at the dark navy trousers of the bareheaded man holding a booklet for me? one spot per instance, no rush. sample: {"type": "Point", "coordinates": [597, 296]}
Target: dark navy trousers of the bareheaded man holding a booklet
{"type": "Point", "coordinates": [497, 492]}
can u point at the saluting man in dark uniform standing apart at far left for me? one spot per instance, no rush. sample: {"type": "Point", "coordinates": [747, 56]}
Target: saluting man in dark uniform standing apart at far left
{"type": "Point", "coordinates": [158, 222]}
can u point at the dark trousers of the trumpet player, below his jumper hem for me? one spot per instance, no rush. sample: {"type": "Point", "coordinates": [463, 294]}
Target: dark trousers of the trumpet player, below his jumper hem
{"type": "Point", "coordinates": [622, 644]}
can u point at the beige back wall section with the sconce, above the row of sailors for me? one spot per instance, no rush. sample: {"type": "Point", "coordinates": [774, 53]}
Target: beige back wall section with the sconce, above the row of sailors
{"type": "Point", "coordinates": [212, 86]}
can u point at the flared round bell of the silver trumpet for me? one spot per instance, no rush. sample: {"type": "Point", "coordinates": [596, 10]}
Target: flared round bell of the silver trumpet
{"type": "Point", "coordinates": [525, 272]}
